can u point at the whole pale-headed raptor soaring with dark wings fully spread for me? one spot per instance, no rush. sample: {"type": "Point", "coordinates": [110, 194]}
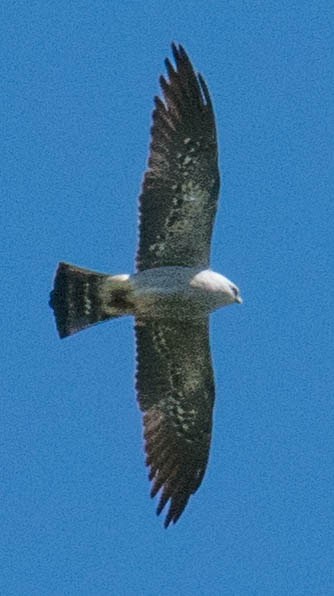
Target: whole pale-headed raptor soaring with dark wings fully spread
{"type": "Point", "coordinates": [173, 290]}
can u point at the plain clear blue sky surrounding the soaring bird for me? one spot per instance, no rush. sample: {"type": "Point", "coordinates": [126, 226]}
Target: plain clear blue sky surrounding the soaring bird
{"type": "Point", "coordinates": [78, 79]}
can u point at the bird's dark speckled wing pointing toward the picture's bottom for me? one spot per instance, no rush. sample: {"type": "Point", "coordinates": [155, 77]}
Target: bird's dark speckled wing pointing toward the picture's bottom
{"type": "Point", "coordinates": [175, 388]}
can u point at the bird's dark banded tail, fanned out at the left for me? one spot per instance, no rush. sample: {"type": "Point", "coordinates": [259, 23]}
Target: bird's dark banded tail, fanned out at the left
{"type": "Point", "coordinates": [81, 298]}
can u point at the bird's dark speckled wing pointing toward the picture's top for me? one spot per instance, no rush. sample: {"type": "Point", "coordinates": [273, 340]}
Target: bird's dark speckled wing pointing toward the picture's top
{"type": "Point", "coordinates": [180, 190]}
